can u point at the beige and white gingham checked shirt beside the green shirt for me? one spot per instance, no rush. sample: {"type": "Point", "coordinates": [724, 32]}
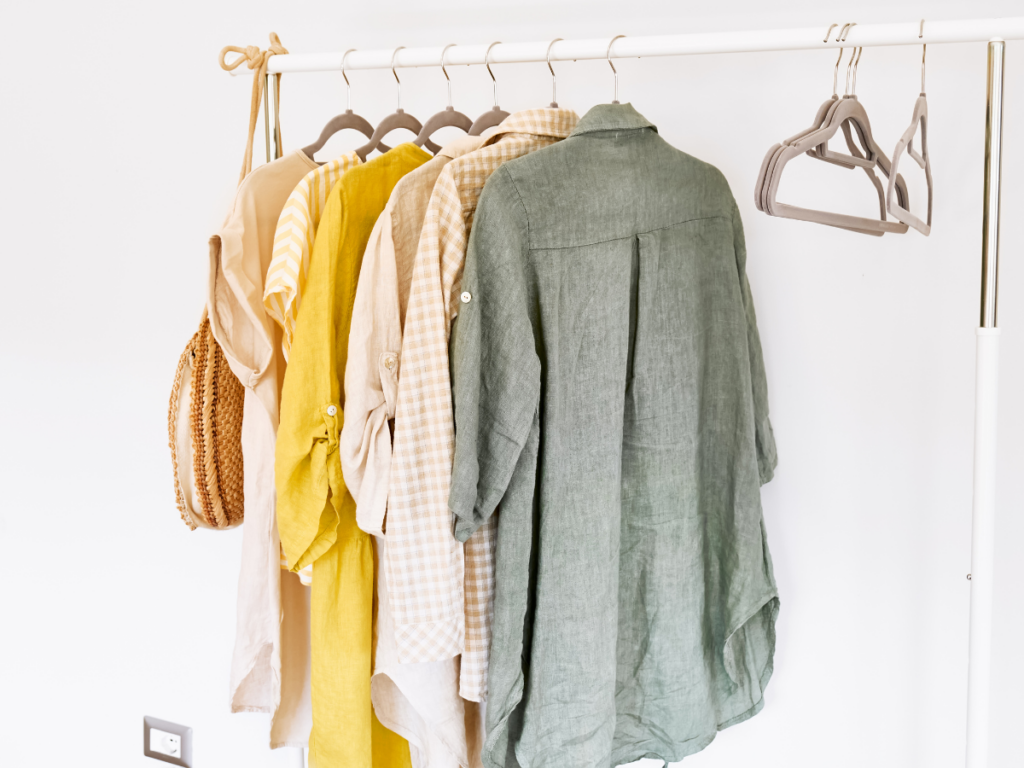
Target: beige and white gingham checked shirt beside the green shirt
{"type": "Point", "coordinates": [441, 591]}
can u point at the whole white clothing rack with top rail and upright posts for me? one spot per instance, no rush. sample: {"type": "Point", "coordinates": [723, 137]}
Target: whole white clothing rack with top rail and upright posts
{"type": "Point", "coordinates": [992, 31]}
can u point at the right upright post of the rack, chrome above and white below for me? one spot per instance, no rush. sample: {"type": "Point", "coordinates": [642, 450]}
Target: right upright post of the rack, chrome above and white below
{"type": "Point", "coordinates": [987, 413]}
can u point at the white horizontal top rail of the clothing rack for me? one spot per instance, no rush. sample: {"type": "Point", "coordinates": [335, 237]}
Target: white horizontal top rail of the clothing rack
{"type": "Point", "coordinates": [808, 38]}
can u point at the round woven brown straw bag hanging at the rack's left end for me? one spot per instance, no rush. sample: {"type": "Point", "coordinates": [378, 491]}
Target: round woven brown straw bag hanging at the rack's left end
{"type": "Point", "coordinates": [204, 423]}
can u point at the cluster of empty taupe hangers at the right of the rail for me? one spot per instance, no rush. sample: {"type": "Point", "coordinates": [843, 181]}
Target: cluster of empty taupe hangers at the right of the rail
{"type": "Point", "coordinates": [848, 115]}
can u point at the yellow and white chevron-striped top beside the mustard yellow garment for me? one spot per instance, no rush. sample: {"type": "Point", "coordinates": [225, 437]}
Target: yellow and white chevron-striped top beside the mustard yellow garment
{"type": "Point", "coordinates": [293, 242]}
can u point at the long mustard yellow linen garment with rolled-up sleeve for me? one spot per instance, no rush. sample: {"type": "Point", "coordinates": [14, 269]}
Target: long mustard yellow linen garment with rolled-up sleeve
{"type": "Point", "coordinates": [316, 513]}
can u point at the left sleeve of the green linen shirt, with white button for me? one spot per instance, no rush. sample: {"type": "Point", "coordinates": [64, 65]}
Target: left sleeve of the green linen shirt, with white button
{"type": "Point", "coordinates": [495, 359]}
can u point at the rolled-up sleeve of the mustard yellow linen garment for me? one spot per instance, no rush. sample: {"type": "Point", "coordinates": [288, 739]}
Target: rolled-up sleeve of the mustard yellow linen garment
{"type": "Point", "coordinates": [311, 414]}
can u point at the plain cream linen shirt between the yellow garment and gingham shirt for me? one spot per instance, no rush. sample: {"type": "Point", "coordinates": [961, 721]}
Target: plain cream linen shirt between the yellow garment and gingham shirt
{"type": "Point", "coordinates": [420, 702]}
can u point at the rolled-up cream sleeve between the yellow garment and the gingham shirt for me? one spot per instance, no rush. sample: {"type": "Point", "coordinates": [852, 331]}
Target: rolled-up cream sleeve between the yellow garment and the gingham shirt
{"type": "Point", "coordinates": [372, 379]}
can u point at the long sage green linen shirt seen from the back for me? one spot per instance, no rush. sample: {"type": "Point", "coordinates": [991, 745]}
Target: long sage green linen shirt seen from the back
{"type": "Point", "coordinates": [611, 394]}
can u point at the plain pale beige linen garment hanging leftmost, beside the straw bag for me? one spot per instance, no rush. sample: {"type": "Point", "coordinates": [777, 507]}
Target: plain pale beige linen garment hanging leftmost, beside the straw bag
{"type": "Point", "coordinates": [271, 663]}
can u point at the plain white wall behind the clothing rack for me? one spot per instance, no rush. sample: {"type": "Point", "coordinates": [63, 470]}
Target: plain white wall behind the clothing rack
{"type": "Point", "coordinates": [122, 144]}
